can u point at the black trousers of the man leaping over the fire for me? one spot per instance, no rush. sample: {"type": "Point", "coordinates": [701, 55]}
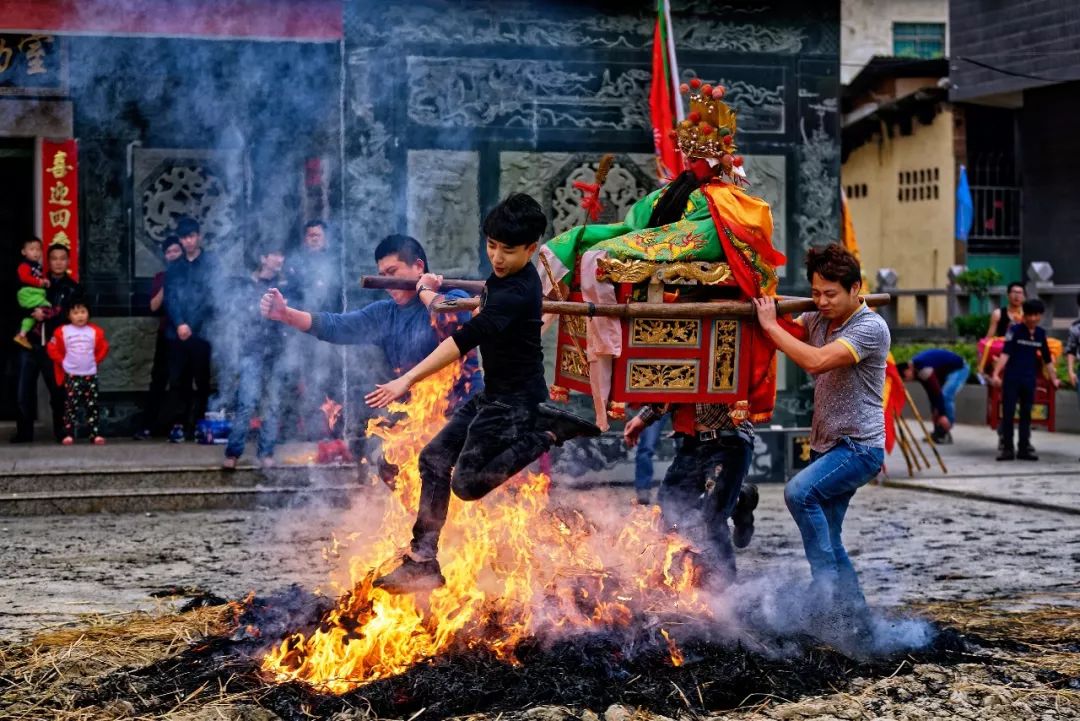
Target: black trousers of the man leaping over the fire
{"type": "Point", "coordinates": [487, 442]}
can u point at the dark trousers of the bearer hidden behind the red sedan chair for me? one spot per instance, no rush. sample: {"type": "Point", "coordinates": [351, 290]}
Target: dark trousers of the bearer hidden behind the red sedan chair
{"type": "Point", "coordinates": [699, 495]}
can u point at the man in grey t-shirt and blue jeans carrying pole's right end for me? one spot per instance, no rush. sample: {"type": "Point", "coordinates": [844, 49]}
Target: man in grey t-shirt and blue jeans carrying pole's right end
{"type": "Point", "coordinates": [846, 352]}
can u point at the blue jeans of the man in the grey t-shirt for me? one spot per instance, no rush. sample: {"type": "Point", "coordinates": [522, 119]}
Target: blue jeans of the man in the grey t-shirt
{"type": "Point", "coordinates": [818, 498]}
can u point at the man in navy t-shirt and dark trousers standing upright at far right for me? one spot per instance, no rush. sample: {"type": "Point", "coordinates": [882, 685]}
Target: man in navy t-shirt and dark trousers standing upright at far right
{"type": "Point", "coordinates": [1025, 343]}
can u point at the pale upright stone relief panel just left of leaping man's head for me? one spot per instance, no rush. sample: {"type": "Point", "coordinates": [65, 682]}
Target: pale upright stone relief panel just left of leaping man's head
{"type": "Point", "coordinates": [444, 209]}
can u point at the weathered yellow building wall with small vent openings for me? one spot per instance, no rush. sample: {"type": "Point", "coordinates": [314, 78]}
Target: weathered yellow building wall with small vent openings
{"type": "Point", "coordinates": [914, 238]}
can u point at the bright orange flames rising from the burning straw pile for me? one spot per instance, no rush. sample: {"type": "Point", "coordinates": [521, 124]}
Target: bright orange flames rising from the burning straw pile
{"type": "Point", "coordinates": [517, 567]}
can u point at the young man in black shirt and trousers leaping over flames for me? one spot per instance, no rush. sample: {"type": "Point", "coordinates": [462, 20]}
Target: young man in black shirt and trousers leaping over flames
{"type": "Point", "coordinates": [503, 430]}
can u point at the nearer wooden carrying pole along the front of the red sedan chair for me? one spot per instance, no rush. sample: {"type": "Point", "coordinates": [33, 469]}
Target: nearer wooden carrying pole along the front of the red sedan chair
{"type": "Point", "coordinates": [720, 309]}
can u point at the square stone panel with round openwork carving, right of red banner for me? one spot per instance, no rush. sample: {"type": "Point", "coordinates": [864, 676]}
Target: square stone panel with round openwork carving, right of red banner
{"type": "Point", "coordinates": [170, 184]}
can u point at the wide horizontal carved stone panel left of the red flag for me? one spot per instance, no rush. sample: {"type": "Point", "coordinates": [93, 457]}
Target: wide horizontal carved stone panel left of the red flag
{"type": "Point", "coordinates": [472, 92]}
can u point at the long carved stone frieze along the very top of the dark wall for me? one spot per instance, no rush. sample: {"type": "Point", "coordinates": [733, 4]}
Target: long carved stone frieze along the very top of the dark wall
{"type": "Point", "coordinates": [524, 24]}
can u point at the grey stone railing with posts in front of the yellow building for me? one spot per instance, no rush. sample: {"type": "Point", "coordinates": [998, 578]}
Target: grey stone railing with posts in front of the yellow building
{"type": "Point", "coordinates": [960, 302]}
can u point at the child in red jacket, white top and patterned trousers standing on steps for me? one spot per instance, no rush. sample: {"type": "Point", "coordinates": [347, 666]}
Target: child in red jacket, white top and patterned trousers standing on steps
{"type": "Point", "coordinates": [76, 349]}
